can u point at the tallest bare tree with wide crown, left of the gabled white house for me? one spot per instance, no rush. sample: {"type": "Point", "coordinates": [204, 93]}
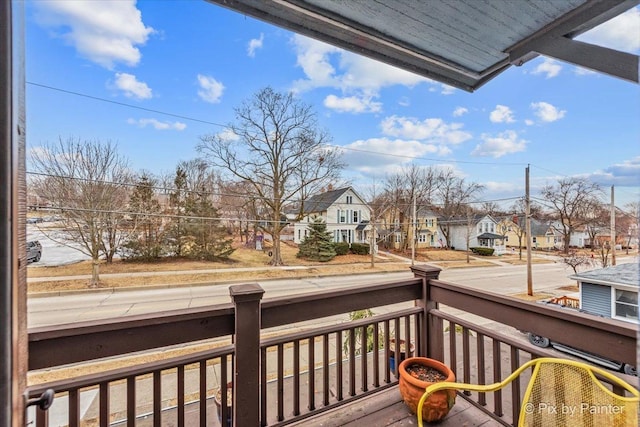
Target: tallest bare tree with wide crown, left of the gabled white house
{"type": "Point", "coordinates": [279, 149]}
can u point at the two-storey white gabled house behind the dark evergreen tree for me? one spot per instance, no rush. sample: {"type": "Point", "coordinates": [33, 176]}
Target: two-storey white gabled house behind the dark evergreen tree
{"type": "Point", "coordinates": [346, 214]}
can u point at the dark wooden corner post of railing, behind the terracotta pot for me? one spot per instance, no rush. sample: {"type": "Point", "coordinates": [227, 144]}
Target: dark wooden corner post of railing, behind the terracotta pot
{"type": "Point", "coordinates": [431, 344]}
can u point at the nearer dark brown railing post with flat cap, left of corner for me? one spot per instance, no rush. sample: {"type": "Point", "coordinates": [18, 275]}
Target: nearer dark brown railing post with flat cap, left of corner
{"type": "Point", "coordinates": [246, 370]}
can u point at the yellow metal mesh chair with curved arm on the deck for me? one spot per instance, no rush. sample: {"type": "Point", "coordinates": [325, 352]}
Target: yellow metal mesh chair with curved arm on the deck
{"type": "Point", "coordinates": [562, 393]}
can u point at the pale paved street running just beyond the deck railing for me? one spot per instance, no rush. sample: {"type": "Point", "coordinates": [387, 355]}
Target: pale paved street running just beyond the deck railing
{"type": "Point", "coordinates": [52, 310]}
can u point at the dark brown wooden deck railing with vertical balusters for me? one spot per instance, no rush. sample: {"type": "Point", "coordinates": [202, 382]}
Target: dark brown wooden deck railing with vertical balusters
{"type": "Point", "coordinates": [279, 376]}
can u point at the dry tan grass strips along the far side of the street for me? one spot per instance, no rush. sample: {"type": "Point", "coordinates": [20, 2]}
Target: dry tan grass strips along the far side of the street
{"type": "Point", "coordinates": [187, 272]}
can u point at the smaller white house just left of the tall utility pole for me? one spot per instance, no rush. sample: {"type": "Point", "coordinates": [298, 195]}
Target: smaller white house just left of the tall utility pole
{"type": "Point", "coordinates": [481, 230]}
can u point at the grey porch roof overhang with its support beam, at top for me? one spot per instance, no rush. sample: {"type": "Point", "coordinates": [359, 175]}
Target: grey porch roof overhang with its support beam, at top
{"type": "Point", "coordinates": [463, 43]}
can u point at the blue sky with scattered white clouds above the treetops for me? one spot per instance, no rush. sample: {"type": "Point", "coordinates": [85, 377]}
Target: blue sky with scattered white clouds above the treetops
{"type": "Point", "coordinates": [154, 76]}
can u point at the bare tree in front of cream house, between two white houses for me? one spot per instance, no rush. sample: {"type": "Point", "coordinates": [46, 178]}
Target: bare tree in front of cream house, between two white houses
{"type": "Point", "coordinates": [454, 194]}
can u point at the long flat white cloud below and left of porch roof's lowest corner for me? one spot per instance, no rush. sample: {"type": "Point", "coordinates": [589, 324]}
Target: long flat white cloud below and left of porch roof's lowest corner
{"type": "Point", "coordinates": [434, 130]}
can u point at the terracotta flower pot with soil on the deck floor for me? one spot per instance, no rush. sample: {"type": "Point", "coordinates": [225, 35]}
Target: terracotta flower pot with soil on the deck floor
{"type": "Point", "coordinates": [437, 406]}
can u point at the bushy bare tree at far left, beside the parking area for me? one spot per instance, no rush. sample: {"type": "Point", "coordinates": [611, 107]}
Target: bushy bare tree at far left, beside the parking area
{"type": "Point", "coordinates": [88, 181]}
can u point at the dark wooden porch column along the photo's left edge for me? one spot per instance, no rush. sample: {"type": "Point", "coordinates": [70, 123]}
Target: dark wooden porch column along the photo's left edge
{"type": "Point", "coordinates": [13, 271]}
